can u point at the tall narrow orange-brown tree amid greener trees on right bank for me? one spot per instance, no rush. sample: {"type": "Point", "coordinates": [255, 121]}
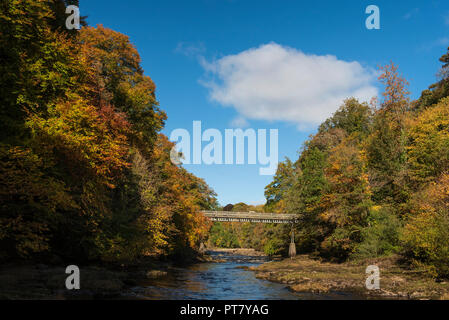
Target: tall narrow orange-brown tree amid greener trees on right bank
{"type": "Point", "coordinates": [346, 202]}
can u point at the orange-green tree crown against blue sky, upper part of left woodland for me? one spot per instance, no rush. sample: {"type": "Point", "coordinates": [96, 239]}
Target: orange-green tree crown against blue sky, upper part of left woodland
{"type": "Point", "coordinates": [116, 77]}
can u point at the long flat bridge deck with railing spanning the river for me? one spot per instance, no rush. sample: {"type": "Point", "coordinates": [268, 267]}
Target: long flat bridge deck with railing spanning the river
{"type": "Point", "coordinates": [230, 216]}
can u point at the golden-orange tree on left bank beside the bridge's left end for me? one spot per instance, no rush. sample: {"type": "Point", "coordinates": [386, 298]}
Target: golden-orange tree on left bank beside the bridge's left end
{"type": "Point", "coordinates": [175, 198]}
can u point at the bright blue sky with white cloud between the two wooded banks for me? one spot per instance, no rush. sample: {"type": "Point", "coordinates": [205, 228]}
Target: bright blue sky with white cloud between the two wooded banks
{"type": "Point", "coordinates": [242, 62]}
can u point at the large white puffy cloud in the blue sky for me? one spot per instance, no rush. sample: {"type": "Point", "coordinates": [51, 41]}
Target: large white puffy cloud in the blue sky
{"type": "Point", "coordinates": [273, 82]}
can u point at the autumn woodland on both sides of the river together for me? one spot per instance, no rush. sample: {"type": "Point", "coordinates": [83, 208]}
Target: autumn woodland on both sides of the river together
{"type": "Point", "coordinates": [85, 174]}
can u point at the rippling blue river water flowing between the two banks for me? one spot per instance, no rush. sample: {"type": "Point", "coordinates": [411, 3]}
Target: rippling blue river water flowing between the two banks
{"type": "Point", "coordinates": [224, 280]}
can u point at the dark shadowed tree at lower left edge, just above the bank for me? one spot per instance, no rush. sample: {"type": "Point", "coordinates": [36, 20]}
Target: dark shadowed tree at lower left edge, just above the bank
{"type": "Point", "coordinates": [31, 201]}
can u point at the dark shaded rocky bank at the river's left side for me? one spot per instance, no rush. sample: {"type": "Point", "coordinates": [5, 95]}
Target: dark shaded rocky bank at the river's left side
{"type": "Point", "coordinates": [39, 281]}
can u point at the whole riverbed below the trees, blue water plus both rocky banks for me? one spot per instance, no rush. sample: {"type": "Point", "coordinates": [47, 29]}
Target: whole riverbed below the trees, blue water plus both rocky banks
{"type": "Point", "coordinates": [216, 275]}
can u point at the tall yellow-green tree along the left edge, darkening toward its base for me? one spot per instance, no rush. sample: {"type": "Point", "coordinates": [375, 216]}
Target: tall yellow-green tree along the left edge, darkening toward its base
{"type": "Point", "coordinates": [39, 70]}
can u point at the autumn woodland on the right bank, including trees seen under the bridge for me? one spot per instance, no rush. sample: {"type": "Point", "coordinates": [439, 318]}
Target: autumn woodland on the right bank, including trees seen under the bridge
{"type": "Point", "coordinates": [372, 182]}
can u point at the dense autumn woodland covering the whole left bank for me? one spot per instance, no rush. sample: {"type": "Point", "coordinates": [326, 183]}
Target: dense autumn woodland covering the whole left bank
{"type": "Point", "coordinates": [85, 174]}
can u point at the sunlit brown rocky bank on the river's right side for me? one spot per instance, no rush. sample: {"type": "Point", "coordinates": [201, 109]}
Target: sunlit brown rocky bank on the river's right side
{"type": "Point", "coordinates": [306, 275]}
